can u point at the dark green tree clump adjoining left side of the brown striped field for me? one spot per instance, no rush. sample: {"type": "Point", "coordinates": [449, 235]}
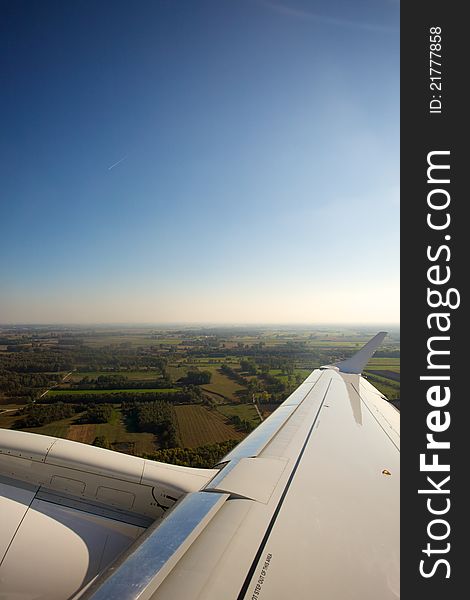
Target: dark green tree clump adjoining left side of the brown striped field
{"type": "Point", "coordinates": [155, 417]}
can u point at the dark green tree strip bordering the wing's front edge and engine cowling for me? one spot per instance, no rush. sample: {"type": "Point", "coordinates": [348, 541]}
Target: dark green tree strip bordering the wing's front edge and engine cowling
{"type": "Point", "coordinates": [203, 457]}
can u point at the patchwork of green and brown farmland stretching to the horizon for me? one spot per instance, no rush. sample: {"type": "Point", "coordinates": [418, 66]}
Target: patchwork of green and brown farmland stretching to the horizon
{"type": "Point", "coordinates": [217, 380]}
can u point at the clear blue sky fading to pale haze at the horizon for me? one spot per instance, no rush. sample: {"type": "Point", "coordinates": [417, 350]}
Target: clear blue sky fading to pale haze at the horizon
{"type": "Point", "coordinates": [230, 161]}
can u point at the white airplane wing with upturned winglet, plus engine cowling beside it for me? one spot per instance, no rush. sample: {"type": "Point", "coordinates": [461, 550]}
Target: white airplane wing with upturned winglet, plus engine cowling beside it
{"type": "Point", "coordinates": [306, 506]}
